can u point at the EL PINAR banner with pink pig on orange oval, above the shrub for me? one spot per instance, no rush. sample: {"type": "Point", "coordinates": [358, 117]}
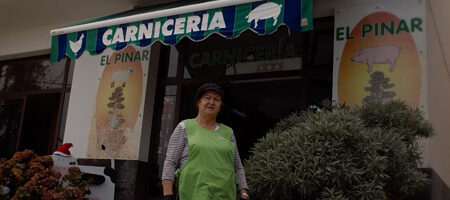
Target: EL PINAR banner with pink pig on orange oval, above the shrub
{"type": "Point", "coordinates": [380, 53]}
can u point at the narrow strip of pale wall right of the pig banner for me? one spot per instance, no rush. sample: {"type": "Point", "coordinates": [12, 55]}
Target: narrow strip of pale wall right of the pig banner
{"type": "Point", "coordinates": [438, 38]}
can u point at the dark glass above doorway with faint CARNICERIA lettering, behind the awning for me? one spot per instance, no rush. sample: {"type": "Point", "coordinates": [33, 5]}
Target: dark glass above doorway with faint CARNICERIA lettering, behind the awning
{"type": "Point", "coordinates": [247, 54]}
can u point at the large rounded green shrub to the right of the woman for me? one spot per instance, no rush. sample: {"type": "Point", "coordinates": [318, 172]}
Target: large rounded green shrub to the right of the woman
{"type": "Point", "coordinates": [367, 152]}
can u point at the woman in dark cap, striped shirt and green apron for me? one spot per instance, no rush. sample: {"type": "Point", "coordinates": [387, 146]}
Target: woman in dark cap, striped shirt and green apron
{"type": "Point", "coordinates": [203, 154]}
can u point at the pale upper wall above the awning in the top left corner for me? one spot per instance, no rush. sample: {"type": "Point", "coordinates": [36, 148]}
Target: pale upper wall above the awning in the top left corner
{"type": "Point", "coordinates": [25, 25]}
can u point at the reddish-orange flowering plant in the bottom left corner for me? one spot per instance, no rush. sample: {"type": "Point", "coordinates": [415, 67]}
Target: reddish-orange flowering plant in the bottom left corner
{"type": "Point", "coordinates": [27, 176]}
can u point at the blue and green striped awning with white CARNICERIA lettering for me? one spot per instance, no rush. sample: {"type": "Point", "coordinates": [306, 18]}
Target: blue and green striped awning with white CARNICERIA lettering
{"type": "Point", "coordinates": [170, 23]}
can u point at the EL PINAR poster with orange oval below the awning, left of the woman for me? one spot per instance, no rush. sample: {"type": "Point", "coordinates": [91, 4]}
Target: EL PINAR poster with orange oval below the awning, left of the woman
{"type": "Point", "coordinates": [115, 126]}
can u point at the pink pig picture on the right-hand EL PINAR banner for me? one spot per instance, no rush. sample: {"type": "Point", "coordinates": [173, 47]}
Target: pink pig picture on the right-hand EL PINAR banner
{"type": "Point", "coordinates": [386, 54]}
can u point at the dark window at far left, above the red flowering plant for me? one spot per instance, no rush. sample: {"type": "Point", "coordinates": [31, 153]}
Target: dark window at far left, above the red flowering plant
{"type": "Point", "coordinates": [33, 103]}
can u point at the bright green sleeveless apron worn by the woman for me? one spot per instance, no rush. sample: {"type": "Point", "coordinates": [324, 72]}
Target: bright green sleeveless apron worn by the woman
{"type": "Point", "coordinates": [208, 173]}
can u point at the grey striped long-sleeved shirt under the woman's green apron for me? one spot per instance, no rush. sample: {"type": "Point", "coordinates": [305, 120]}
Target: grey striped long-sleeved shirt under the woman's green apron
{"type": "Point", "coordinates": [178, 151]}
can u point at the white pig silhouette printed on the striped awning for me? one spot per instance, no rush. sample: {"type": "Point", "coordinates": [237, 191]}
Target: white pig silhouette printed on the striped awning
{"type": "Point", "coordinates": [264, 11]}
